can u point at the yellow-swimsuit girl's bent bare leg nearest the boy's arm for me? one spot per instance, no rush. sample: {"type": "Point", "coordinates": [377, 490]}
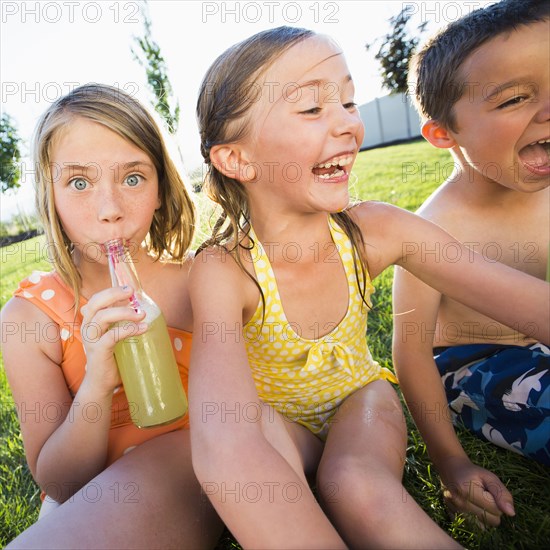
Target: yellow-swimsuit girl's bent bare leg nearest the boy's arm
{"type": "Point", "coordinates": [359, 477]}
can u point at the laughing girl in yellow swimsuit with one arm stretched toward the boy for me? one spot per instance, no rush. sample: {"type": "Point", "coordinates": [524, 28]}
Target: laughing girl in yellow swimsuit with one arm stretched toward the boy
{"type": "Point", "coordinates": [283, 389]}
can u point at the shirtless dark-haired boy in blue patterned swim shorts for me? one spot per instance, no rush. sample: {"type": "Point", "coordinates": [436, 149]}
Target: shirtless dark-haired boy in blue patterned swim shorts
{"type": "Point", "coordinates": [483, 89]}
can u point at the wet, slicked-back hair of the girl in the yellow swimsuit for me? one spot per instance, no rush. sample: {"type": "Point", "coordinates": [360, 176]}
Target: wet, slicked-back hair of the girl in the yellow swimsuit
{"type": "Point", "coordinates": [226, 95]}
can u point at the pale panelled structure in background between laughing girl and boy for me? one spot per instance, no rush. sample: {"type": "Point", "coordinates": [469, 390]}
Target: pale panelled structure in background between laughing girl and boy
{"type": "Point", "coordinates": [388, 120]}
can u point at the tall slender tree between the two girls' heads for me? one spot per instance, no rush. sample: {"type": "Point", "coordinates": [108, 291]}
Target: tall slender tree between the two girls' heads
{"type": "Point", "coordinates": [149, 57]}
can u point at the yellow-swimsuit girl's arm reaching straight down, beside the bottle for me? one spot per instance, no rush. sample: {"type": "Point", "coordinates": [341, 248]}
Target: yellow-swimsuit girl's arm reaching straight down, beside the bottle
{"type": "Point", "coordinates": [239, 468]}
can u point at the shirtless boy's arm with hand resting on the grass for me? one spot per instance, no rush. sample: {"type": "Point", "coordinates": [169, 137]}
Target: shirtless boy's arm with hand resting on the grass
{"type": "Point", "coordinates": [469, 488]}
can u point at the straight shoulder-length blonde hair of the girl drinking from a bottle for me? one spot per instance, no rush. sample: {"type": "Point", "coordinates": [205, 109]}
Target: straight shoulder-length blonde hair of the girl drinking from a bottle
{"type": "Point", "coordinates": [173, 223]}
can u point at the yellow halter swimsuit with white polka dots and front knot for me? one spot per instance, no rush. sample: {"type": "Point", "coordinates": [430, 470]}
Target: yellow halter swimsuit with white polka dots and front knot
{"type": "Point", "coordinates": [307, 380]}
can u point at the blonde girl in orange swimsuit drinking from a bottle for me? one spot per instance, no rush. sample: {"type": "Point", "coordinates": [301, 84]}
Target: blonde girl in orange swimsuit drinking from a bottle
{"type": "Point", "coordinates": [103, 171]}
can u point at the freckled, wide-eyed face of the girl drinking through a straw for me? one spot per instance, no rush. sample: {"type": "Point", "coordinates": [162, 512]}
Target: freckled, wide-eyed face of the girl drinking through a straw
{"type": "Point", "coordinates": [104, 186]}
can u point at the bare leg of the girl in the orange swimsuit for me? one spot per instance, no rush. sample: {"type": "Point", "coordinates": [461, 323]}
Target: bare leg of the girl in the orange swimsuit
{"type": "Point", "coordinates": [149, 498]}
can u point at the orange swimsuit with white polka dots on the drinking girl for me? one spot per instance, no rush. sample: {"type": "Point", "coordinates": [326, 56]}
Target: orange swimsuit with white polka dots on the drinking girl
{"type": "Point", "coordinates": [48, 292]}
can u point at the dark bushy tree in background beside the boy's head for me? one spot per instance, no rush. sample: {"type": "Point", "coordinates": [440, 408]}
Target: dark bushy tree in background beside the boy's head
{"type": "Point", "coordinates": [395, 52]}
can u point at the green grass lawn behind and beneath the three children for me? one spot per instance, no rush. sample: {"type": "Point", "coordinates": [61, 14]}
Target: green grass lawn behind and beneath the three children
{"type": "Point", "coordinates": [404, 175]}
